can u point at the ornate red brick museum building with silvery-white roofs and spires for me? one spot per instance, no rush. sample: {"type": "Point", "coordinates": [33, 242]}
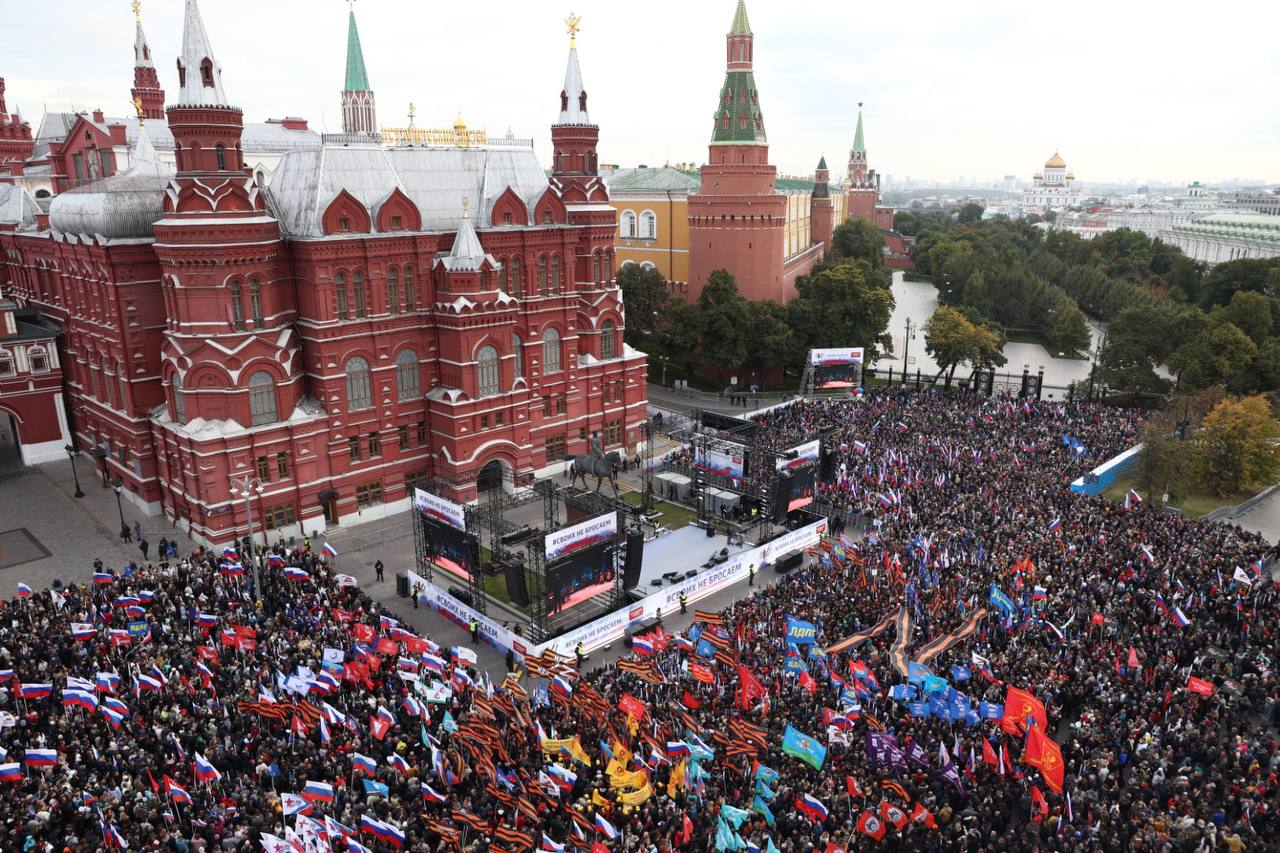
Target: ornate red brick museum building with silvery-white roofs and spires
{"type": "Point", "coordinates": [372, 318]}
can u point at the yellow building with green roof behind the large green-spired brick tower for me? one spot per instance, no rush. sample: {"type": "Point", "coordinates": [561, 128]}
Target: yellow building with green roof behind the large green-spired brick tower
{"type": "Point", "coordinates": [653, 217]}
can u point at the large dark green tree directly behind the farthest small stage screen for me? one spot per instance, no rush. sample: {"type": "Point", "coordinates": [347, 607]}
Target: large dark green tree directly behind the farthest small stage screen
{"type": "Point", "coordinates": [842, 307]}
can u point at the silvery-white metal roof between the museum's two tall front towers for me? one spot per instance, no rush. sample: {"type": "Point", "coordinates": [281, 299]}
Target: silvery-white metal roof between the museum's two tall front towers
{"type": "Point", "coordinates": [437, 180]}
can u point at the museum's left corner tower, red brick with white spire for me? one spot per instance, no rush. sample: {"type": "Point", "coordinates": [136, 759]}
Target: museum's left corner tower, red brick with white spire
{"type": "Point", "coordinates": [231, 355]}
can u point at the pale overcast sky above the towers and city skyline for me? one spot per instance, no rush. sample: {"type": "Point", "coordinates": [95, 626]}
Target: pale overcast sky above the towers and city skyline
{"type": "Point", "coordinates": [1126, 89]}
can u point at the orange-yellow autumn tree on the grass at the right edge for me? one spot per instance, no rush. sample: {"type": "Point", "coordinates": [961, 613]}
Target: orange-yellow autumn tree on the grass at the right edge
{"type": "Point", "coordinates": [1236, 446]}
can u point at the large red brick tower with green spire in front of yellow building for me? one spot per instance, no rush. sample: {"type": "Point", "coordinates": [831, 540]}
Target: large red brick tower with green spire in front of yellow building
{"type": "Point", "coordinates": [738, 221]}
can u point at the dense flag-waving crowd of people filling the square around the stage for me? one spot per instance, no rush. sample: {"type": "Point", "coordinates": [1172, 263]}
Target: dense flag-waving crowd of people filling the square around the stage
{"type": "Point", "coordinates": [185, 715]}
